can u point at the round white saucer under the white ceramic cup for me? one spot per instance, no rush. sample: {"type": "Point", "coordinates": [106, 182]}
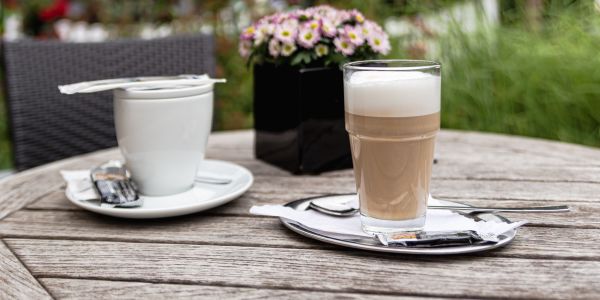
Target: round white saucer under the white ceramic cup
{"type": "Point", "coordinates": [202, 197]}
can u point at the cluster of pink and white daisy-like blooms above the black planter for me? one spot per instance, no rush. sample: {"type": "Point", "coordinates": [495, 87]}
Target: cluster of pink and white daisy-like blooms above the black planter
{"type": "Point", "coordinates": [322, 28]}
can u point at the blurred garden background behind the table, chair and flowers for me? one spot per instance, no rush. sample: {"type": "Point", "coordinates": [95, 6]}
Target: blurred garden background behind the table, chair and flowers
{"type": "Point", "coordinates": [526, 67]}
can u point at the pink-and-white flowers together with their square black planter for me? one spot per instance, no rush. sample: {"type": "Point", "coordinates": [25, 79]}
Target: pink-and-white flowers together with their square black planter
{"type": "Point", "coordinates": [298, 87]}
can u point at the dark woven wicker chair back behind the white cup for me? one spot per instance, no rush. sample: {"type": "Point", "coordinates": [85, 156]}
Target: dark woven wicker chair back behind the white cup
{"type": "Point", "coordinates": [46, 125]}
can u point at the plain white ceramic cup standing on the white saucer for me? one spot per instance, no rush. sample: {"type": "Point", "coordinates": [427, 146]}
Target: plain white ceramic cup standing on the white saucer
{"type": "Point", "coordinates": [162, 133]}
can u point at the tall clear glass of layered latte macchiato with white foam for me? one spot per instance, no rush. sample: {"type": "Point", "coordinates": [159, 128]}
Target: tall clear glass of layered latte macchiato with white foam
{"type": "Point", "coordinates": [392, 117]}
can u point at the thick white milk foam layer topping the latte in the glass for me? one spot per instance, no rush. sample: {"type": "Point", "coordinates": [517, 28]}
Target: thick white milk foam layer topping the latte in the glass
{"type": "Point", "coordinates": [392, 93]}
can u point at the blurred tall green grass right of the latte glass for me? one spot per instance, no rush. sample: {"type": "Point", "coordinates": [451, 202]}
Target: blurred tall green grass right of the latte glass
{"type": "Point", "coordinates": [512, 79]}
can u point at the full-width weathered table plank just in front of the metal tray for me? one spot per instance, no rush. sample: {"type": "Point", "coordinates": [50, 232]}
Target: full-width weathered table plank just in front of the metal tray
{"type": "Point", "coordinates": [323, 270]}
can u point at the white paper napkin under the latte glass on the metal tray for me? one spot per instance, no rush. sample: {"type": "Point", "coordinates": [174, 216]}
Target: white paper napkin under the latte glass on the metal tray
{"type": "Point", "coordinates": [436, 221]}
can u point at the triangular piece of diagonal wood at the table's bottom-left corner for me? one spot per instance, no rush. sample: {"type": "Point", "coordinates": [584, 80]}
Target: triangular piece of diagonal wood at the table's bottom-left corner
{"type": "Point", "coordinates": [15, 281]}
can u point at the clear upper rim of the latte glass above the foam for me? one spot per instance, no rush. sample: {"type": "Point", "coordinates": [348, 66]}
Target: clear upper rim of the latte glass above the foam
{"type": "Point", "coordinates": [417, 64]}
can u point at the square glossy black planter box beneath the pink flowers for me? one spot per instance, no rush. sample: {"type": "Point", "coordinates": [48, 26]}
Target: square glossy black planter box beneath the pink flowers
{"type": "Point", "coordinates": [299, 118]}
